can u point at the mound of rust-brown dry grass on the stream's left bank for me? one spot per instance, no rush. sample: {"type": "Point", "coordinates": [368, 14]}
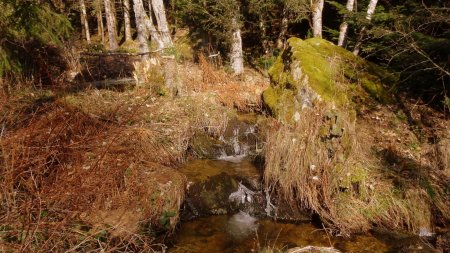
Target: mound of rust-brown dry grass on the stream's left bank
{"type": "Point", "coordinates": [64, 167]}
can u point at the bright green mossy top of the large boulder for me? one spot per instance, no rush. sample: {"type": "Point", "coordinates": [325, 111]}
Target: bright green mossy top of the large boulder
{"type": "Point", "coordinates": [314, 70]}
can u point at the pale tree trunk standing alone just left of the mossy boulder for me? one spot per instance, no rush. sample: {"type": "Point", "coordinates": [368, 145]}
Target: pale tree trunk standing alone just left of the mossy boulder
{"type": "Point", "coordinates": [236, 55]}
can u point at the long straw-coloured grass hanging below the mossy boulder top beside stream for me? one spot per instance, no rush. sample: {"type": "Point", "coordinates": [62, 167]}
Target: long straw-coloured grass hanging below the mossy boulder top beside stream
{"type": "Point", "coordinates": [325, 166]}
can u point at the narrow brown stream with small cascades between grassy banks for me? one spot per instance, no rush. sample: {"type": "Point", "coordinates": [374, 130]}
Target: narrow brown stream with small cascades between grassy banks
{"type": "Point", "coordinates": [226, 211]}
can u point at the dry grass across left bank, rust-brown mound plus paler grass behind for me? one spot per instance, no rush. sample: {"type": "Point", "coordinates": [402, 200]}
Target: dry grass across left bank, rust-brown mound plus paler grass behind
{"type": "Point", "coordinates": [86, 171]}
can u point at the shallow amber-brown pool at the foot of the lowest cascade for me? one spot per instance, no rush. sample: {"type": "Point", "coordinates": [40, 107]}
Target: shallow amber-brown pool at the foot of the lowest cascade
{"type": "Point", "coordinates": [223, 234]}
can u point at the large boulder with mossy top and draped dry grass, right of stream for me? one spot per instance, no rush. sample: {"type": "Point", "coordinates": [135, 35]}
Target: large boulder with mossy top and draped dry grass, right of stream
{"type": "Point", "coordinates": [342, 150]}
